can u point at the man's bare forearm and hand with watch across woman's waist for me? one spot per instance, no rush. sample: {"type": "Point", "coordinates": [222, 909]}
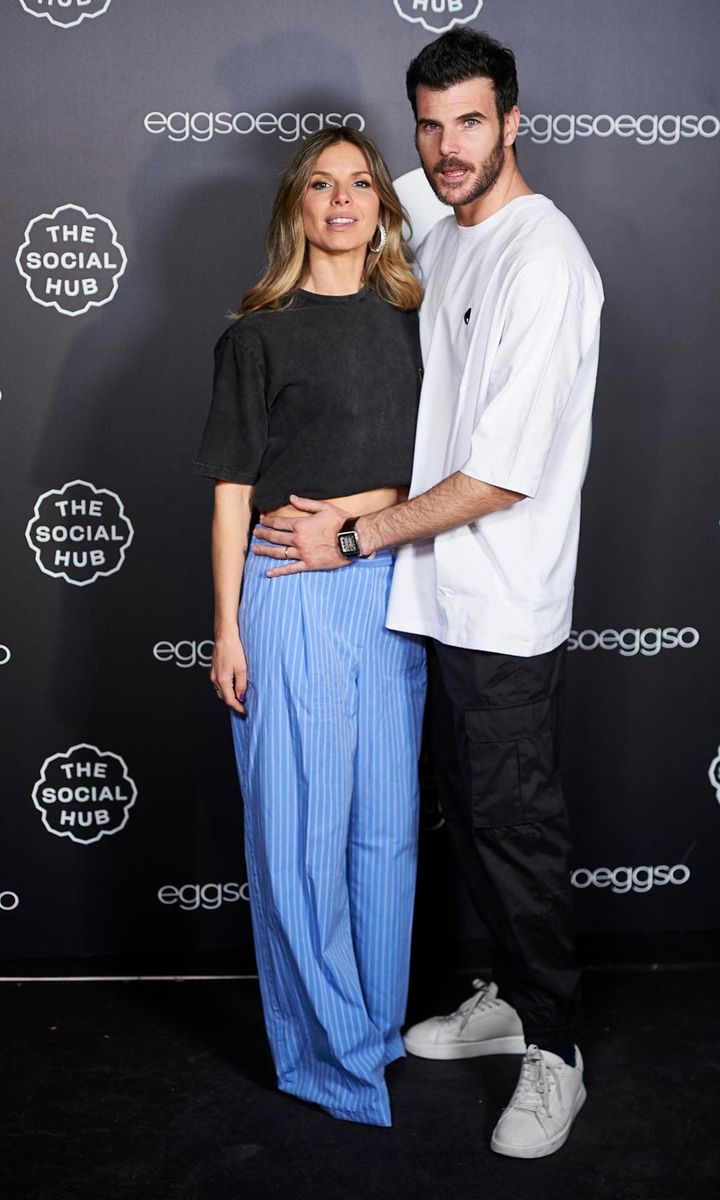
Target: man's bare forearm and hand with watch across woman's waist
{"type": "Point", "coordinates": [313, 541]}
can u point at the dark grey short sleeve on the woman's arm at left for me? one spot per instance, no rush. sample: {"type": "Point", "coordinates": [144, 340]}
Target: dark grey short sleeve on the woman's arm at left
{"type": "Point", "coordinates": [236, 433]}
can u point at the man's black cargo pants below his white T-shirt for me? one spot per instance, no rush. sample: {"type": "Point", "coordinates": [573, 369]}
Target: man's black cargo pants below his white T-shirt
{"type": "Point", "coordinates": [496, 733]}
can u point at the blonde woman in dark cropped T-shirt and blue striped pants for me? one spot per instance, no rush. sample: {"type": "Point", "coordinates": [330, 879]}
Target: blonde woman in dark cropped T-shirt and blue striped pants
{"type": "Point", "coordinates": [316, 393]}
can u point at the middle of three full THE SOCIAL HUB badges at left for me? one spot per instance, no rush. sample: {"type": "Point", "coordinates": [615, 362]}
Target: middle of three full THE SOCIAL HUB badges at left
{"type": "Point", "coordinates": [80, 532]}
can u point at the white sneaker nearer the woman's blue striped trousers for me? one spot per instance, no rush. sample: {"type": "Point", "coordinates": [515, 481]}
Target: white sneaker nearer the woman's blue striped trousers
{"type": "Point", "coordinates": [482, 1025]}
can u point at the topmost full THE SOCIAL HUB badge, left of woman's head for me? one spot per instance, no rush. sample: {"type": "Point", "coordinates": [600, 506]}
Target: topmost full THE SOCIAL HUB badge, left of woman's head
{"type": "Point", "coordinates": [71, 260]}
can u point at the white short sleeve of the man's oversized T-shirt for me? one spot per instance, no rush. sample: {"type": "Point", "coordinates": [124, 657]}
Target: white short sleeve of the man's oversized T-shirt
{"type": "Point", "coordinates": [549, 331]}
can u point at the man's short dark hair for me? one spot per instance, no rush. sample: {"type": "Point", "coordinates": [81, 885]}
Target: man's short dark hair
{"type": "Point", "coordinates": [465, 55]}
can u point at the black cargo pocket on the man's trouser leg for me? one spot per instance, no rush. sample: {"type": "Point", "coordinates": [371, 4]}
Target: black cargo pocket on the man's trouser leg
{"type": "Point", "coordinates": [514, 777]}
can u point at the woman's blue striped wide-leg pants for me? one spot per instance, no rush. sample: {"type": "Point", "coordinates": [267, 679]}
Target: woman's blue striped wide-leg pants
{"type": "Point", "coordinates": [328, 766]}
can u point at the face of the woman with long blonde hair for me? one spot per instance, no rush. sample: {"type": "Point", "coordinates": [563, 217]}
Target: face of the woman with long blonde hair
{"type": "Point", "coordinates": [341, 207]}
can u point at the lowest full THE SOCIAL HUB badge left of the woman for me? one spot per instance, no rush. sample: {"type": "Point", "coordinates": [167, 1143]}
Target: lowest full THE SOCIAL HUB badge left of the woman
{"type": "Point", "coordinates": [85, 794]}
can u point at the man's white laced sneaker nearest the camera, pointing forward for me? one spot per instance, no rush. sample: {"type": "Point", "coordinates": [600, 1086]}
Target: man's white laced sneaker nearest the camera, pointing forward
{"type": "Point", "coordinates": [545, 1103]}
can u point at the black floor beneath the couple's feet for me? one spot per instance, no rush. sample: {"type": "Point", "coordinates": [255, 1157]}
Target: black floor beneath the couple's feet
{"type": "Point", "coordinates": [164, 1091]}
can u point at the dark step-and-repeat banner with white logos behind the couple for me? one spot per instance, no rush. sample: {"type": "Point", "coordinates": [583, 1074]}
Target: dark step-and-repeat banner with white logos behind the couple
{"type": "Point", "coordinates": [141, 149]}
